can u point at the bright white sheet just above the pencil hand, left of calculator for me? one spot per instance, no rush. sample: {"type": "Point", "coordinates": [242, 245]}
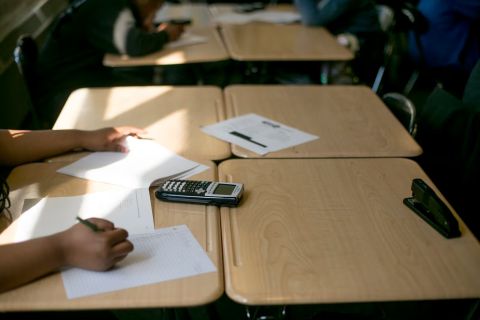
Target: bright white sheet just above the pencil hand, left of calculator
{"type": "Point", "coordinates": [127, 209]}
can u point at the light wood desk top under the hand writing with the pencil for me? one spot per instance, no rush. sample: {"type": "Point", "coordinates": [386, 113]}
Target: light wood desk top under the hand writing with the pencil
{"type": "Point", "coordinates": [40, 179]}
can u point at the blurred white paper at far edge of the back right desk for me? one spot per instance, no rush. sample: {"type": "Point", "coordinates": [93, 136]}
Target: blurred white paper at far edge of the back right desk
{"type": "Point", "coordinates": [269, 16]}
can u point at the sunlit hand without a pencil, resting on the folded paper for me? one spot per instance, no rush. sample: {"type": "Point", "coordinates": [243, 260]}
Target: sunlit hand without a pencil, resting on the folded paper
{"type": "Point", "coordinates": [108, 139]}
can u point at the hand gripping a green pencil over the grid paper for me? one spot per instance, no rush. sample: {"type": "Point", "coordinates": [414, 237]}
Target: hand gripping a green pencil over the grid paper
{"type": "Point", "coordinates": [84, 248]}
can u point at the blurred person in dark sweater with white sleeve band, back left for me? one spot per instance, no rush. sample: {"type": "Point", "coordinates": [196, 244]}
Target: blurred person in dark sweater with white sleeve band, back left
{"type": "Point", "coordinates": [88, 29]}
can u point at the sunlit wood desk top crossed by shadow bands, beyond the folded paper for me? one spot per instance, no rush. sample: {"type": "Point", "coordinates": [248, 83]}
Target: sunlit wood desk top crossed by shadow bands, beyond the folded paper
{"type": "Point", "coordinates": [171, 115]}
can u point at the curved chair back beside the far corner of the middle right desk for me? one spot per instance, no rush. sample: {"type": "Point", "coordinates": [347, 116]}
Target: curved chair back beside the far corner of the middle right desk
{"type": "Point", "coordinates": [403, 109]}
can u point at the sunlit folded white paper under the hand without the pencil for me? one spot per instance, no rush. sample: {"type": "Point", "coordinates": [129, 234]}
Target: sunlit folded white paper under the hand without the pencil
{"type": "Point", "coordinates": [147, 163]}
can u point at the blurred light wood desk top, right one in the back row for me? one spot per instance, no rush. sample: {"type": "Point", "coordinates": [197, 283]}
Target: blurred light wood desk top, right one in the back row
{"type": "Point", "coordinates": [275, 42]}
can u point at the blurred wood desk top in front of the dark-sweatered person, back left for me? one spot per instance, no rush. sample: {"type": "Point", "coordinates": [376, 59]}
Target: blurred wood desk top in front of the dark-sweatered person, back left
{"type": "Point", "coordinates": [210, 51]}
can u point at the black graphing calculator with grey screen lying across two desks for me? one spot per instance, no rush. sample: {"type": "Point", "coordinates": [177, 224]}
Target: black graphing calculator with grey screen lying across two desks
{"type": "Point", "coordinates": [201, 192]}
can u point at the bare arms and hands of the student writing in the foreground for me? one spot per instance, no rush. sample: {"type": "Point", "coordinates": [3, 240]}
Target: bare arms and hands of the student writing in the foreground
{"type": "Point", "coordinates": [78, 246]}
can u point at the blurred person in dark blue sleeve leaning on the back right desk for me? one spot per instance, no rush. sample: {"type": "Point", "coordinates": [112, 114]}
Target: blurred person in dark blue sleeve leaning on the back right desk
{"type": "Point", "coordinates": [356, 25]}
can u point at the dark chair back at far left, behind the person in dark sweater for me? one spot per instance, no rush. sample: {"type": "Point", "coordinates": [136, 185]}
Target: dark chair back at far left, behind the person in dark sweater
{"type": "Point", "coordinates": [25, 56]}
